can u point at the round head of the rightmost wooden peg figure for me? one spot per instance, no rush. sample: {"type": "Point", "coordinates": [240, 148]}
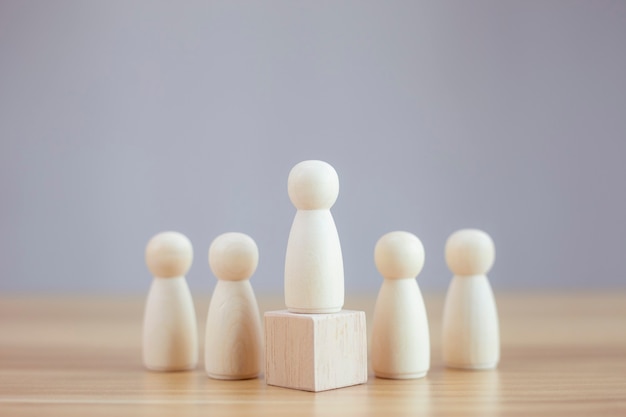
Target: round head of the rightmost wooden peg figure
{"type": "Point", "coordinates": [470, 252]}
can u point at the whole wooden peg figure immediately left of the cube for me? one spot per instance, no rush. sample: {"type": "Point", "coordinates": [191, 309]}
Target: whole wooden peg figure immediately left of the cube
{"type": "Point", "coordinates": [233, 342]}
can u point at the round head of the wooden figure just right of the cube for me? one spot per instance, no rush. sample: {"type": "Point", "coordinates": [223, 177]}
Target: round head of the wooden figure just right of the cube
{"type": "Point", "coordinates": [399, 255]}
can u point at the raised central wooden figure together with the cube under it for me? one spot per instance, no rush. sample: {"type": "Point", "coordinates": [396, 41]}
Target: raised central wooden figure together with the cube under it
{"type": "Point", "coordinates": [314, 345]}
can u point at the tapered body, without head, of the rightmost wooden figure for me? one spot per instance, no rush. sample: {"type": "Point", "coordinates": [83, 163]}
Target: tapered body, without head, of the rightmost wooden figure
{"type": "Point", "coordinates": [471, 337]}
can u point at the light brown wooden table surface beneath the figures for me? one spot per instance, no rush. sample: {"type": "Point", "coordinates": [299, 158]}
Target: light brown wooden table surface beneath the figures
{"type": "Point", "coordinates": [562, 354]}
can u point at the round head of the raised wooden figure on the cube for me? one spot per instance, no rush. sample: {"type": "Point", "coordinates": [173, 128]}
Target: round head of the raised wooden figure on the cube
{"type": "Point", "coordinates": [313, 185]}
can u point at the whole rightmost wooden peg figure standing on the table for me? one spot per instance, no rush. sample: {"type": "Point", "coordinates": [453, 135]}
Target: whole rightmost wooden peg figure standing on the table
{"type": "Point", "coordinates": [471, 337]}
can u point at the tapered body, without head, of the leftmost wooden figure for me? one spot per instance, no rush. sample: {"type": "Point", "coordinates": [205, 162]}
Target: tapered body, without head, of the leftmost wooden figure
{"type": "Point", "coordinates": [170, 332]}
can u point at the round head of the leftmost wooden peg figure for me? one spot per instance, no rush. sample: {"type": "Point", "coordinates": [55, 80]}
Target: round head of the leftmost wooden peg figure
{"type": "Point", "coordinates": [169, 255]}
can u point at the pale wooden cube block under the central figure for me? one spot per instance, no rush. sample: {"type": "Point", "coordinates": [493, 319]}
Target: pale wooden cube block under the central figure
{"type": "Point", "coordinates": [315, 352]}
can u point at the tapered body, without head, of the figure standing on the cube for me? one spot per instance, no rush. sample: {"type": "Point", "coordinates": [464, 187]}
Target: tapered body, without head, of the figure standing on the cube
{"type": "Point", "coordinates": [314, 281]}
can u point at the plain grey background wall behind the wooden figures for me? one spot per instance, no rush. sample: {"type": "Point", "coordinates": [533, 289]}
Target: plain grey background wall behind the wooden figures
{"type": "Point", "coordinates": [120, 119]}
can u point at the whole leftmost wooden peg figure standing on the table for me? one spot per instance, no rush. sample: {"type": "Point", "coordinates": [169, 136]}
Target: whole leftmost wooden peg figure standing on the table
{"type": "Point", "coordinates": [170, 333]}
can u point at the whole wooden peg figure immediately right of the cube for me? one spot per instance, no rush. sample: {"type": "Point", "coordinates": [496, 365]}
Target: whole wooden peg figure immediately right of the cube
{"type": "Point", "coordinates": [400, 338]}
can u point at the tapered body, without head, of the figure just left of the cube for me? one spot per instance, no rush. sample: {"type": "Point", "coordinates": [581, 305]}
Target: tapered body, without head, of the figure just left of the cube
{"type": "Point", "coordinates": [233, 341]}
